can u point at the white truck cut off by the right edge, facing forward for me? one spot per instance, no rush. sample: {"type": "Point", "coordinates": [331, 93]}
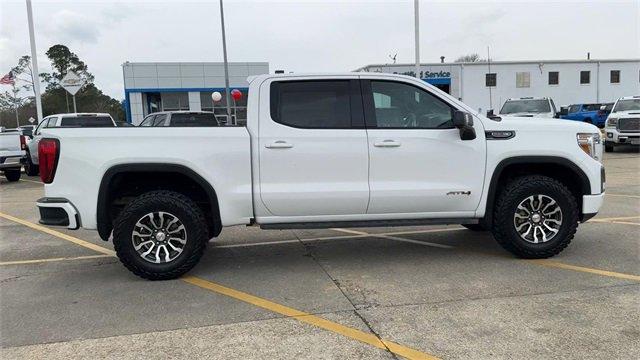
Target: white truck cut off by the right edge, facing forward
{"type": "Point", "coordinates": [623, 124]}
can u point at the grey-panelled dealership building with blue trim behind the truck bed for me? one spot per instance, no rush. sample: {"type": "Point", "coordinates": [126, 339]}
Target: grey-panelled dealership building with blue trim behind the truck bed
{"type": "Point", "coordinates": [168, 86]}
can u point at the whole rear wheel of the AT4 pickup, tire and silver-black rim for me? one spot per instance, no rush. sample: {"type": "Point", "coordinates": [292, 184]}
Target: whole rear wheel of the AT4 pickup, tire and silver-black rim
{"type": "Point", "coordinates": [160, 235]}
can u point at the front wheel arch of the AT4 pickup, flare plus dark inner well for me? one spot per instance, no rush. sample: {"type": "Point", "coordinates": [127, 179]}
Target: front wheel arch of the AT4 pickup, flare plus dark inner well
{"type": "Point", "coordinates": [559, 168]}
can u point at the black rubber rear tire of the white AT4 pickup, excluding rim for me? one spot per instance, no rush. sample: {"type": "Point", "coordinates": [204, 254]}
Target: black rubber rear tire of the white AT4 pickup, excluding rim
{"type": "Point", "coordinates": [168, 201]}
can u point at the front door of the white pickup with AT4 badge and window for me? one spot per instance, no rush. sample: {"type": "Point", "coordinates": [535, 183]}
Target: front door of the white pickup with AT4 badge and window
{"type": "Point", "coordinates": [418, 163]}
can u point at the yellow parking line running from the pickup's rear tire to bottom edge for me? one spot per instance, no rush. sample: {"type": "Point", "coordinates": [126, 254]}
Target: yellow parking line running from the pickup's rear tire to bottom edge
{"type": "Point", "coordinates": [316, 321]}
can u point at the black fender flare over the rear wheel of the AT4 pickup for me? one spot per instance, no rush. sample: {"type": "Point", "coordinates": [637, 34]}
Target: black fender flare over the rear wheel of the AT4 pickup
{"type": "Point", "coordinates": [103, 218]}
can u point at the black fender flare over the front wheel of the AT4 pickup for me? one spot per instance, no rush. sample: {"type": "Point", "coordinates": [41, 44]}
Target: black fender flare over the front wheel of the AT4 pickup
{"type": "Point", "coordinates": [585, 184]}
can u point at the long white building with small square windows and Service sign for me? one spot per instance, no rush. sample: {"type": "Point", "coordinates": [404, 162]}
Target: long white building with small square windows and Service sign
{"type": "Point", "coordinates": [484, 85]}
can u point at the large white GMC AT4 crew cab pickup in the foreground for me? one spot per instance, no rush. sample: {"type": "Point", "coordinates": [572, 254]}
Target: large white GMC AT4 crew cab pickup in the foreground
{"type": "Point", "coordinates": [354, 149]}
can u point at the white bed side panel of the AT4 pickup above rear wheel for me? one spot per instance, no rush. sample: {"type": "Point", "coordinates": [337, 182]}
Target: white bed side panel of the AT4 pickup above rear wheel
{"type": "Point", "coordinates": [87, 154]}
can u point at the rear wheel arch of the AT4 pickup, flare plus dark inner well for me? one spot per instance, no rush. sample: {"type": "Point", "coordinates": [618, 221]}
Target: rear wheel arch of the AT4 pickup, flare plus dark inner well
{"type": "Point", "coordinates": [108, 188]}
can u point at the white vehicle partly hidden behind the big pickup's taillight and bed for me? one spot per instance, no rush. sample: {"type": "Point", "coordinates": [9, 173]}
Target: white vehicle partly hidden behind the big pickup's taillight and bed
{"type": "Point", "coordinates": [74, 120]}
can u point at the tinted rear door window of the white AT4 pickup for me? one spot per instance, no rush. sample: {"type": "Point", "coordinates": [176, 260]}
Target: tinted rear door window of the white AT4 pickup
{"type": "Point", "coordinates": [312, 104]}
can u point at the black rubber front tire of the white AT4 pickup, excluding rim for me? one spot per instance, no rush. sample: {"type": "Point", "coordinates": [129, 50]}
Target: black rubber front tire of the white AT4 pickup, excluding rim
{"type": "Point", "coordinates": [513, 193]}
